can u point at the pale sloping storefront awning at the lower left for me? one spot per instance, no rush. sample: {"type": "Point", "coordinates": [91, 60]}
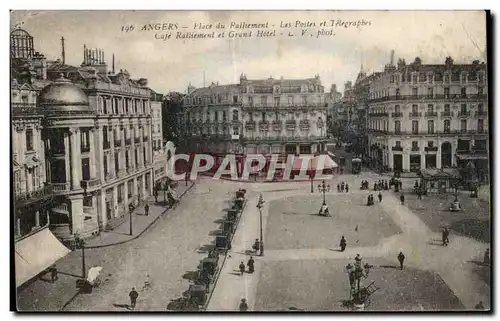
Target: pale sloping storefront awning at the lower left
{"type": "Point", "coordinates": [36, 253]}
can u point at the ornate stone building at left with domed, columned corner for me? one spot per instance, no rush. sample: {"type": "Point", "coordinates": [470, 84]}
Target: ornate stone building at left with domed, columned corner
{"type": "Point", "coordinates": [82, 137]}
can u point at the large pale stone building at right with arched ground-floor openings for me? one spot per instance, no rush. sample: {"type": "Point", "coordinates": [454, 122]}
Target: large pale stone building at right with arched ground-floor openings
{"type": "Point", "coordinates": [429, 116]}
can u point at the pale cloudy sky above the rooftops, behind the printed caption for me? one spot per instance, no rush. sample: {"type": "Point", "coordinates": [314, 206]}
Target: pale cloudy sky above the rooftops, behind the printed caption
{"type": "Point", "coordinates": [172, 64]}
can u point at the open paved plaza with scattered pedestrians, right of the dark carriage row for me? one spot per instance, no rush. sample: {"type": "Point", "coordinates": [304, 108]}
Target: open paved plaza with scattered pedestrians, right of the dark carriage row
{"type": "Point", "coordinates": [303, 268]}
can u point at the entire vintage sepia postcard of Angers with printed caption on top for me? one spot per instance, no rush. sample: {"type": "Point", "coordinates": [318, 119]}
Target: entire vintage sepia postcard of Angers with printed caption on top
{"type": "Point", "coordinates": [250, 161]}
